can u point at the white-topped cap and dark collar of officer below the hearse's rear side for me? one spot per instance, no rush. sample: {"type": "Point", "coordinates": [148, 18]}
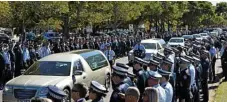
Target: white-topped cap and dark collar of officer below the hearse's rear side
{"type": "Point", "coordinates": [98, 88]}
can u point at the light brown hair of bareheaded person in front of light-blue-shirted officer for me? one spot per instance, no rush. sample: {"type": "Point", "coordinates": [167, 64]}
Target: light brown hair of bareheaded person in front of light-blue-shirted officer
{"type": "Point", "coordinates": [152, 94]}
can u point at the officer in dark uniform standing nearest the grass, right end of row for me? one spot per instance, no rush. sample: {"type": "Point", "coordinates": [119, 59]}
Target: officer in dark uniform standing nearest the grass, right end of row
{"type": "Point", "coordinates": [204, 75]}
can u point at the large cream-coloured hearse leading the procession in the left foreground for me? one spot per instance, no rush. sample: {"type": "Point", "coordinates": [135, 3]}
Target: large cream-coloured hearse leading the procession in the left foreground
{"type": "Point", "coordinates": [61, 70]}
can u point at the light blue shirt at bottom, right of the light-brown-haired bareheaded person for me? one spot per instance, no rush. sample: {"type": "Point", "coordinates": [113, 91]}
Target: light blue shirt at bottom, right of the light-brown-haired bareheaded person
{"type": "Point", "coordinates": [169, 91]}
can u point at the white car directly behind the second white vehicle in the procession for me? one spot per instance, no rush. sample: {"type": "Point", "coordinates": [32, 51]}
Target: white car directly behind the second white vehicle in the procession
{"type": "Point", "coordinates": [176, 41]}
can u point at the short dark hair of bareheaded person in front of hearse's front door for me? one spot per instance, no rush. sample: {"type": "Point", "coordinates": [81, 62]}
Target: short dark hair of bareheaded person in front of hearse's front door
{"type": "Point", "coordinates": [81, 88]}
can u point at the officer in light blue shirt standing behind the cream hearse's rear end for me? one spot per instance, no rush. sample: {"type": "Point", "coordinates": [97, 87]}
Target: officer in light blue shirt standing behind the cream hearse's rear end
{"type": "Point", "coordinates": [110, 54]}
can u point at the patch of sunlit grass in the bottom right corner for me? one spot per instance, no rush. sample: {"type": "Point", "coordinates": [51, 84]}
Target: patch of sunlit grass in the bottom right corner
{"type": "Point", "coordinates": [221, 93]}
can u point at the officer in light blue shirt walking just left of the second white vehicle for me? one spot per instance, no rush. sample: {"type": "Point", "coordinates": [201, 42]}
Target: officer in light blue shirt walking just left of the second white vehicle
{"type": "Point", "coordinates": [139, 50]}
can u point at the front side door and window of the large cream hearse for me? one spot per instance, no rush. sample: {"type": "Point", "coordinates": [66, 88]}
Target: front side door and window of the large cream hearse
{"type": "Point", "coordinates": [79, 73]}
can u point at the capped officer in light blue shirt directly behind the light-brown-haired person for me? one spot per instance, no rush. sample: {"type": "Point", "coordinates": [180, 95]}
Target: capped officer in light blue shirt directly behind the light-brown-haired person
{"type": "Point", "coordinates": [153, 81]}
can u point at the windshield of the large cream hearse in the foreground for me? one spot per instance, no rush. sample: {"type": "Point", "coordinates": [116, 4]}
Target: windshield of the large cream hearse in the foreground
{"type": "Point", "coordinates": [49, 68]}
